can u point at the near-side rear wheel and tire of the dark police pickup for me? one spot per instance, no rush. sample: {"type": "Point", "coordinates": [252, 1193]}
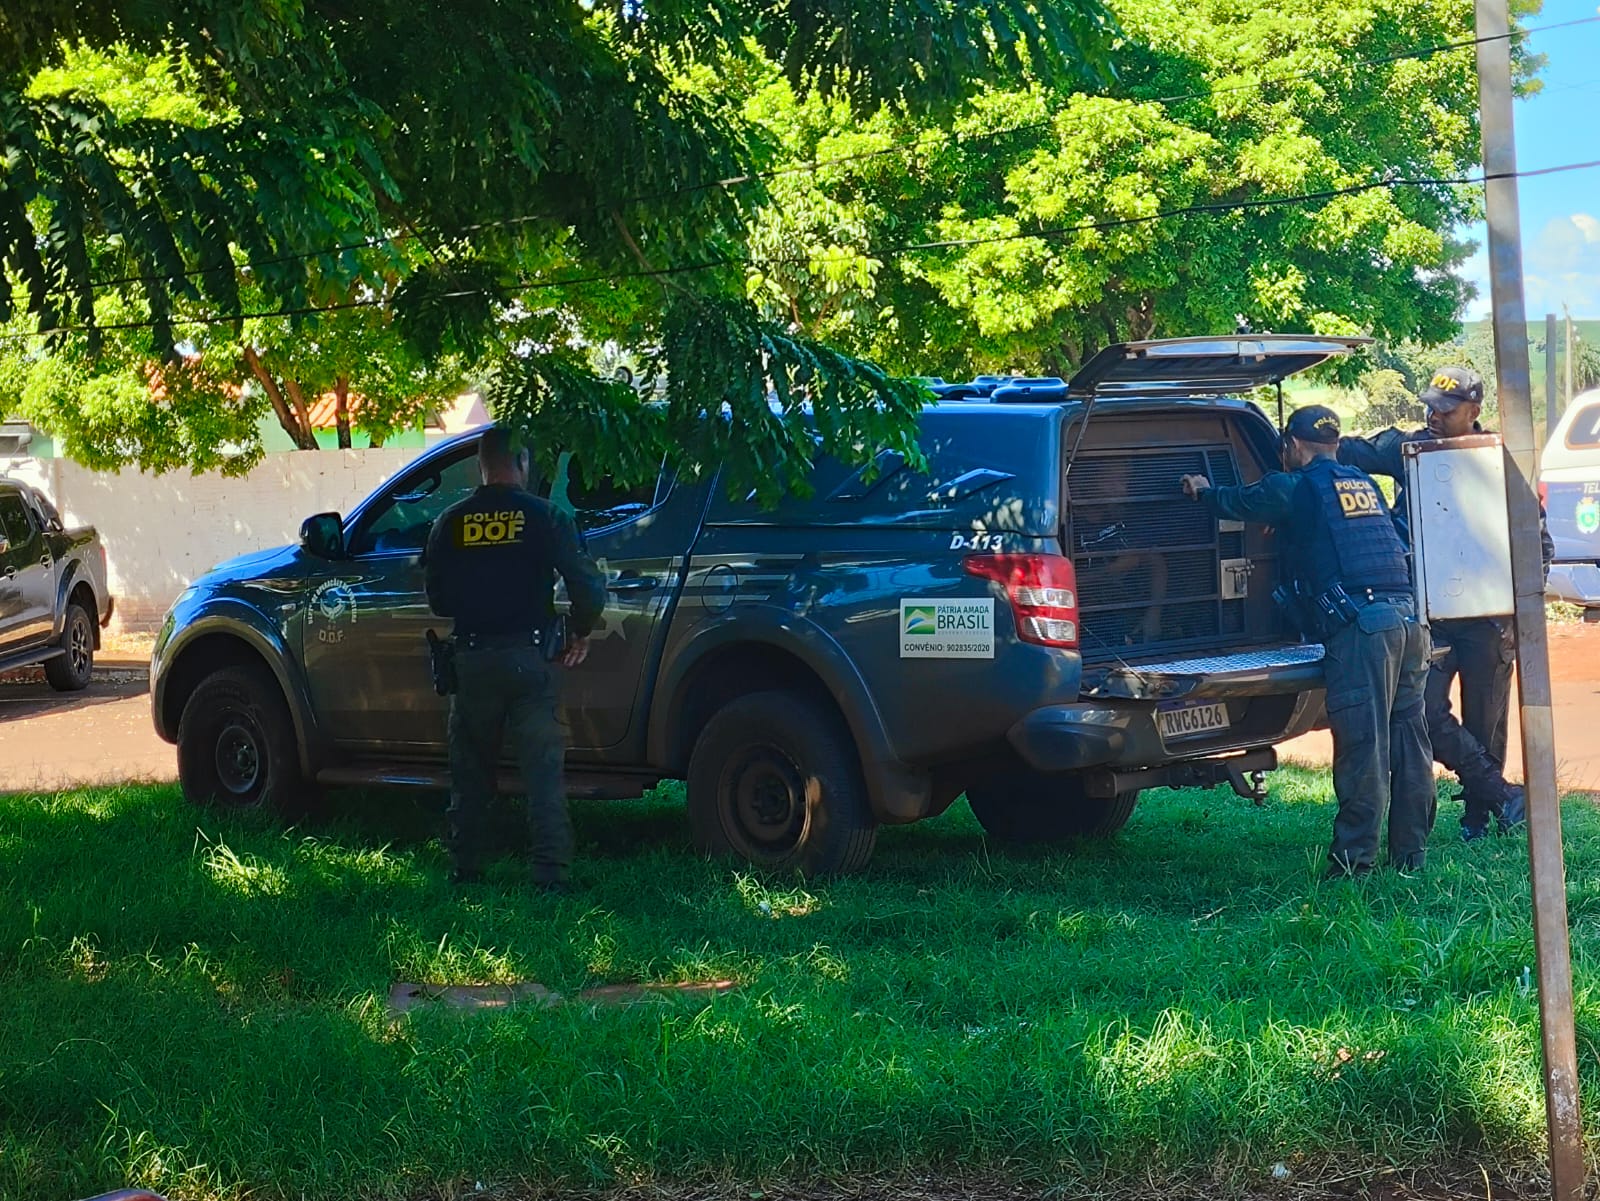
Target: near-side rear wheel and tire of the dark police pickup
{"type": "Point", "coordinates": [775, 781]}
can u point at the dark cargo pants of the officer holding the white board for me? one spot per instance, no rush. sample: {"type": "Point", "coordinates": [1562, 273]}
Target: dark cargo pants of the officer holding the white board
{"type": "Point", "coordinates": [1481, 653]}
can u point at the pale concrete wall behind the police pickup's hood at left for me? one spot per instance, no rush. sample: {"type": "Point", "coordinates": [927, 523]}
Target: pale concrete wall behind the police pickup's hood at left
{"type": "Point", "coordinates": [162, 532]}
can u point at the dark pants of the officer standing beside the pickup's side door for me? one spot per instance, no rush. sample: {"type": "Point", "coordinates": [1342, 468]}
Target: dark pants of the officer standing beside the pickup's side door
{"type": "Point", "coordinates": [508, 690]}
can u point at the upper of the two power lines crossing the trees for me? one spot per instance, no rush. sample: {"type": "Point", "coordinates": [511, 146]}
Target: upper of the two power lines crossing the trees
{"type": "Point", "coordinates": [817, 166]}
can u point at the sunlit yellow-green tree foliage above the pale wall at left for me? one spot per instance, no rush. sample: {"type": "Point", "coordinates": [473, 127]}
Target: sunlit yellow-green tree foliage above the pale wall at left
{"type": "Point", "coordinates": [116, 404]}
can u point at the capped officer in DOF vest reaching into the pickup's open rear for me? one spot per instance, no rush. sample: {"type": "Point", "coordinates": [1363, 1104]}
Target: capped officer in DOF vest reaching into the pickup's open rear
{"type": "Point", "coordinates": [1353, 591]}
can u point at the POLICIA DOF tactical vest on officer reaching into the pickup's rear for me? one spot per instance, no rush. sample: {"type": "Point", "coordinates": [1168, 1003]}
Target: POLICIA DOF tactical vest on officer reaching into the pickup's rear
{"type": "Point", "coordinates": [1345, 535]}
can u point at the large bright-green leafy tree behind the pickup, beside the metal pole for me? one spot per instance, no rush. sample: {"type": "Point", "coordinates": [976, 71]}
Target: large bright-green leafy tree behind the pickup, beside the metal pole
{"type": "Point", "coordinates": [1030, 233]}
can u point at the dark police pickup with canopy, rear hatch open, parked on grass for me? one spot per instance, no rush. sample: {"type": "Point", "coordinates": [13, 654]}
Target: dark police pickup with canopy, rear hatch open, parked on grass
{"type": "Point", "coordinates": [1038, 621]}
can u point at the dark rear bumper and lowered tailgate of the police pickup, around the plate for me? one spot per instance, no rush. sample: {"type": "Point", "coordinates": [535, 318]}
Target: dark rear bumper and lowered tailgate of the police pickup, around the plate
{"type": "Point", "coordinates": [1114, 740]}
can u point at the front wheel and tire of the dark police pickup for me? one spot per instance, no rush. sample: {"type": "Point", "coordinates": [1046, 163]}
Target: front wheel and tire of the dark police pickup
{"type": "Point", "coordinates": [236, 746]}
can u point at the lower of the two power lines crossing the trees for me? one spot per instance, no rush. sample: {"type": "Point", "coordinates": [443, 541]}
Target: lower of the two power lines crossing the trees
{"type": "Point", "coordinates": [887, 252]}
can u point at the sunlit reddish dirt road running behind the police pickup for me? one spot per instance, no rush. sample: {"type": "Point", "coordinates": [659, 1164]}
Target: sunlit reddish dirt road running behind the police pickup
{"type": "Point", "coordinates": [105, 735]}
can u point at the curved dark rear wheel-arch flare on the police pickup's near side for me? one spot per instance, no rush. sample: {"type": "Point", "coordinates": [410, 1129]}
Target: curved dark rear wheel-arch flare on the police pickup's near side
{"type": "Point", "coordinates": [898, 794]}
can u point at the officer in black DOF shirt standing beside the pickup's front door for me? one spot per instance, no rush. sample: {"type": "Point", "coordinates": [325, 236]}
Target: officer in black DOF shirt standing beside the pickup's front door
{"type": "Point", "coordinates": [490, 565]}
